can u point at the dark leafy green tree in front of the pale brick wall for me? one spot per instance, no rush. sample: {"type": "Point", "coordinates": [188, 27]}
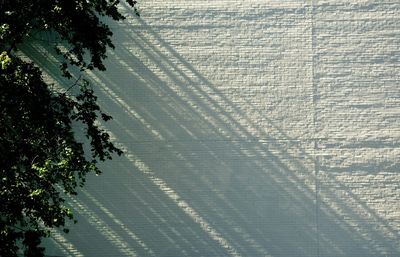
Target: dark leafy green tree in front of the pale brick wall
{"type": "Point", "coordinates": [42, 160]}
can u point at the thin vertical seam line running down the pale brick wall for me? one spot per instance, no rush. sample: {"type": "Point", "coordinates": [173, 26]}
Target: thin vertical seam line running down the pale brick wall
{"type": "Point", "coordinates": [315, 146]}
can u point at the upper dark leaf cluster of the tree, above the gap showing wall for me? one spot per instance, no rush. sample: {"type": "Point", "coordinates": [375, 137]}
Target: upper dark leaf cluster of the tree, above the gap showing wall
{"type": "Point", "coordinates": [77, 23]}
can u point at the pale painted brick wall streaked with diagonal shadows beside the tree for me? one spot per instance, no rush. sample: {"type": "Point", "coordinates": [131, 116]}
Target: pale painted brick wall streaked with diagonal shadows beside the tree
{"type": "Point", "coordinates": [251, 128]}
